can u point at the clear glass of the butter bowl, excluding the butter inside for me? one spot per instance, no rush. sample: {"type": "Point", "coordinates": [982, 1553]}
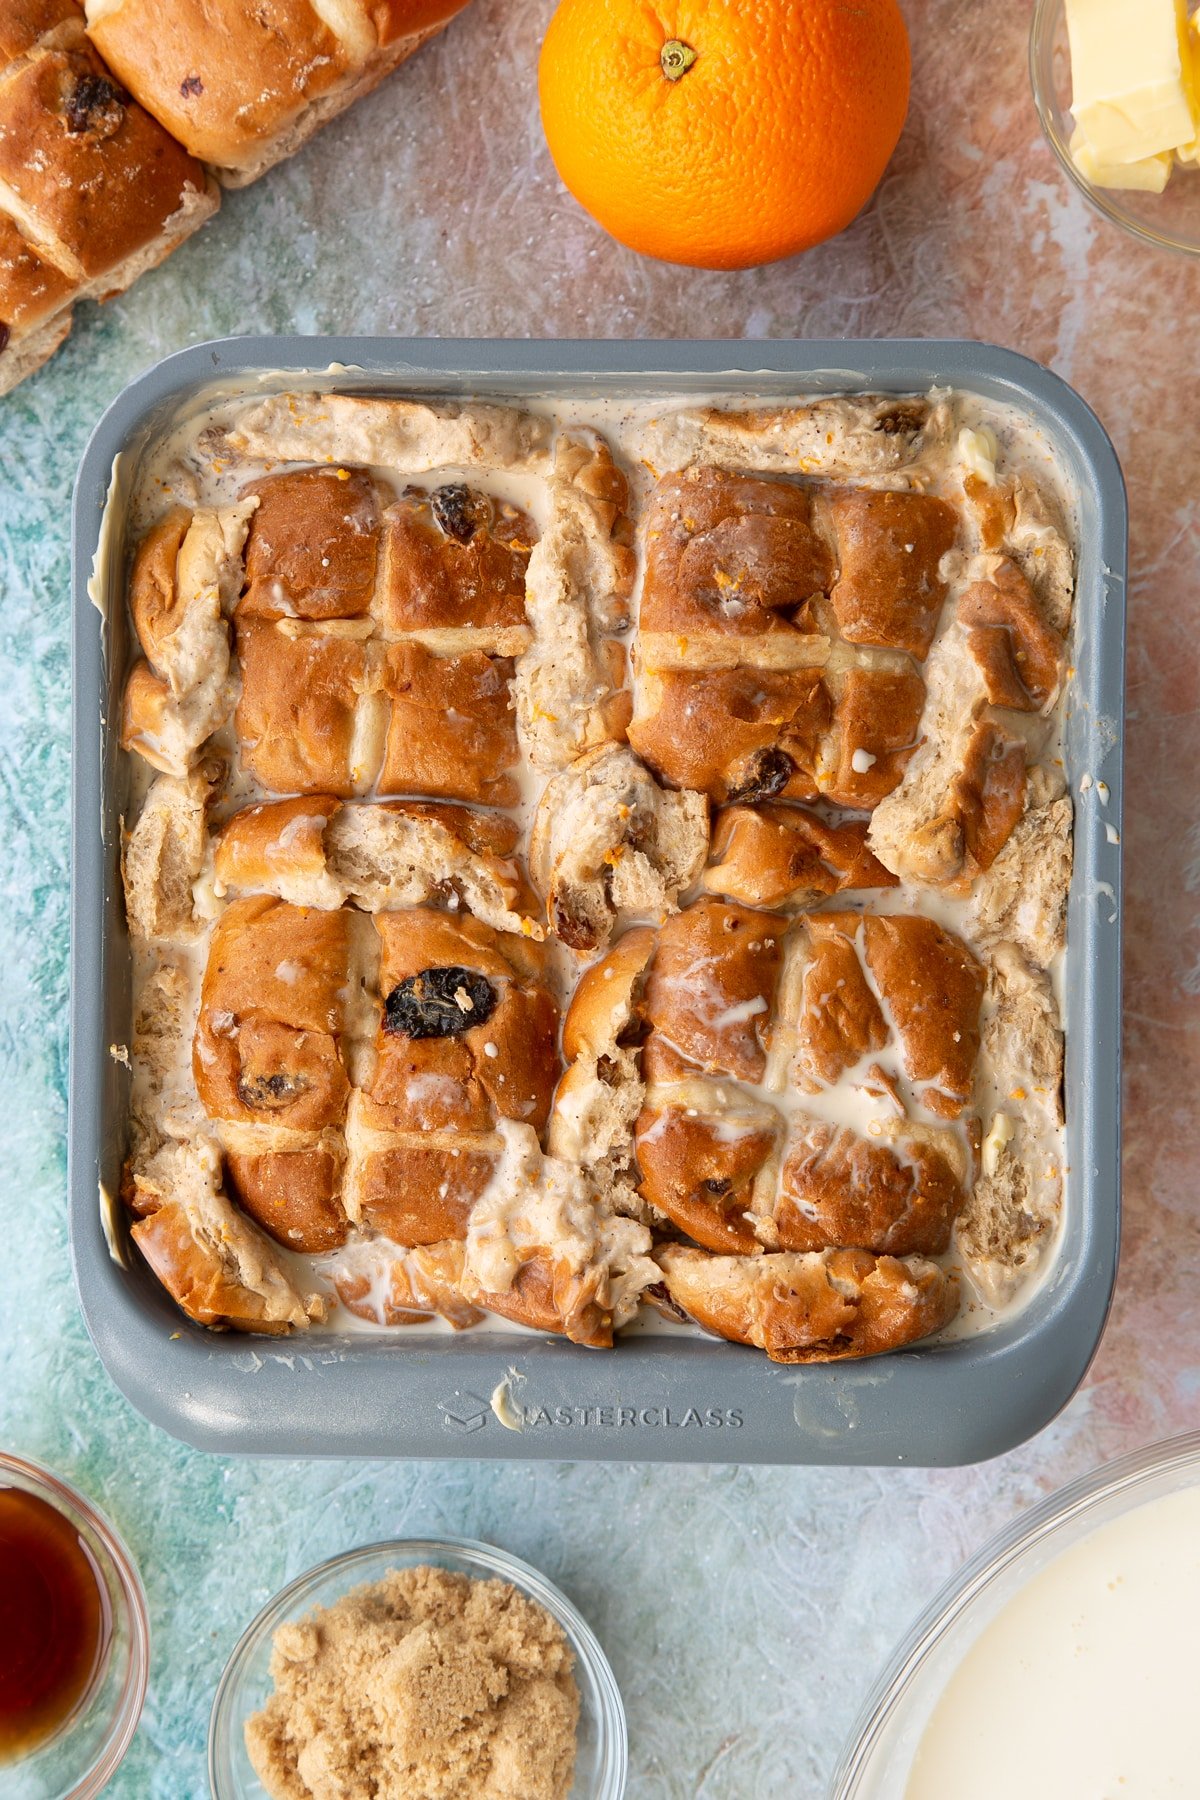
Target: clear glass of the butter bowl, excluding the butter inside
{"type": "Point", "coordinates": [1169, 220]}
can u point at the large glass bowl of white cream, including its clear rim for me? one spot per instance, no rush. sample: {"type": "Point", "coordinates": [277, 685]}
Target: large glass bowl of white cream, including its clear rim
{"type": "Point", "coordinates": [1062, 1660]}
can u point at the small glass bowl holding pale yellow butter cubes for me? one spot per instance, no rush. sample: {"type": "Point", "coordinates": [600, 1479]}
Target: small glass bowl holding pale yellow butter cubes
{"type": "Point", "coordinates": [1118, 91]}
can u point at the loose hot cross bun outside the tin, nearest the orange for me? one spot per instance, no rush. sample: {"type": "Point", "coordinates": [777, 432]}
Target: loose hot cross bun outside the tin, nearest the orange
{"type": "Point", "coordinates": [244, 87]}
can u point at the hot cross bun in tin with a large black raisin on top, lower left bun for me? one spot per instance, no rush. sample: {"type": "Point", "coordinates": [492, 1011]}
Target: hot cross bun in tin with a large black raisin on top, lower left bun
{"type": "Point", "coordinates": [355, 1066]}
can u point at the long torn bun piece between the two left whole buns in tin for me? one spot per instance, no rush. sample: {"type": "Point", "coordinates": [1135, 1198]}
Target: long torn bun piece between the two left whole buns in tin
{"type": "Point", "coordinates": [318, 850]}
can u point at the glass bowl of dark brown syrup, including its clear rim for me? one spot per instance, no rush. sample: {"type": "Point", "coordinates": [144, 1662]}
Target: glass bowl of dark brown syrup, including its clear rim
{"type": "Point", "coordinates": [75, 1641]}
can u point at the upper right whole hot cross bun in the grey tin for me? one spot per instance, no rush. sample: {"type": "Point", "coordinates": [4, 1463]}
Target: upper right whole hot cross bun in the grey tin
{"type": "Point", "coordinates": [780, 636]}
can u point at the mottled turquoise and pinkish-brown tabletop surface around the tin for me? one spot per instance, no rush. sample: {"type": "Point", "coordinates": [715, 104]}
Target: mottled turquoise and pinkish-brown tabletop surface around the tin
{"type": "Point", "coordinates": [746, 1612]}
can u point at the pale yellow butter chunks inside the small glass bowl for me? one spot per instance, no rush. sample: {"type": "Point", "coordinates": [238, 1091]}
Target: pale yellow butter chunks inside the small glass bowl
{"type": "Point", "coordinates": [1133, 76]}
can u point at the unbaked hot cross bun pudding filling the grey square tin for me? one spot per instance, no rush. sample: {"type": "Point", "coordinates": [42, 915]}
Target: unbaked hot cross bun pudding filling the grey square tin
{"type": "Point", "coordinates": [598, 868]}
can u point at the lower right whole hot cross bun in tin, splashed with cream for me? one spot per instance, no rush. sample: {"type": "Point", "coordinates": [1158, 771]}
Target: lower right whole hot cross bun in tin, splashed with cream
{"type": "Point", "coordinates": [749, 1023]}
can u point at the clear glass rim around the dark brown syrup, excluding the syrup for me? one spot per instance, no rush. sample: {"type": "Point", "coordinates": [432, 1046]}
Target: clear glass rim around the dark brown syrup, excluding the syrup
{"type": "Point", "coordinates": [82, 1758]}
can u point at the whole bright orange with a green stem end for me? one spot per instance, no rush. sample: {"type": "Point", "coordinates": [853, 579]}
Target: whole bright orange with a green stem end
{"type": "Point", "coordinates": [724, 132]}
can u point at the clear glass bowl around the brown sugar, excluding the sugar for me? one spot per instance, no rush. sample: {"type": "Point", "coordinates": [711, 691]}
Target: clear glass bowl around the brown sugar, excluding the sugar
{"type": "Point", "coordinates": [602, 1763]}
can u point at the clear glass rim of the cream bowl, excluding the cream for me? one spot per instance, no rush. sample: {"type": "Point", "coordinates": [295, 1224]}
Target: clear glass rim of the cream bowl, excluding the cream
{"type": "Point", "coordinates": [899, 1709]}
